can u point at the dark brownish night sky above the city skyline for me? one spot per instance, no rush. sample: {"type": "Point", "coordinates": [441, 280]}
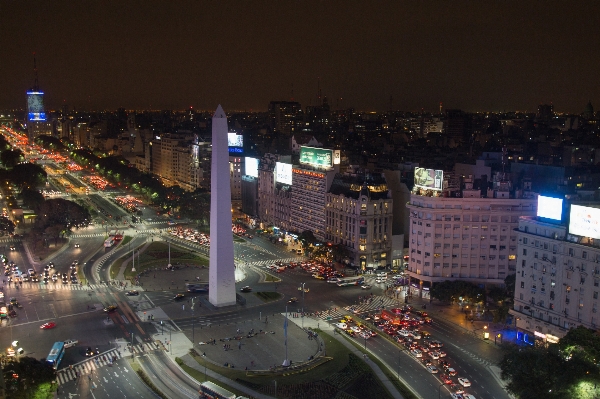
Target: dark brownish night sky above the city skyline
{"type": "Point", "coordinates": [147, 54]}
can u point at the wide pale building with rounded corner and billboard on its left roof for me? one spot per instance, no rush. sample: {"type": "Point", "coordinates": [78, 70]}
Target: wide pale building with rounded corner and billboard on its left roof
{"type": "Point", "coordinates": [455, 234]}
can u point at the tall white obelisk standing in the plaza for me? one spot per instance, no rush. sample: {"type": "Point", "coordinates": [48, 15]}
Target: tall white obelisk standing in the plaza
{"type": "Point", "coordinates": [222, 269]}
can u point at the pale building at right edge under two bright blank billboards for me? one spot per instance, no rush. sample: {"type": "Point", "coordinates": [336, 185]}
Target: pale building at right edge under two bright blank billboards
{"type": "Point", "coordinates": [558, 276]}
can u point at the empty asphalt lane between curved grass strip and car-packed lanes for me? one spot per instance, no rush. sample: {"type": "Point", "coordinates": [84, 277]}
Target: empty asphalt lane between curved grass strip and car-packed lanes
{"type": "Point", "coordinates": [413, 372]}
